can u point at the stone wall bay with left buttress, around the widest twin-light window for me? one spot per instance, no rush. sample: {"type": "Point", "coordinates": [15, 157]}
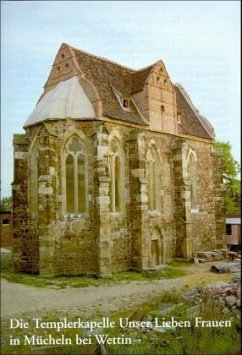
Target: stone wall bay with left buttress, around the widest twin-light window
{"type": "Point", "coordinates": [68, 243]}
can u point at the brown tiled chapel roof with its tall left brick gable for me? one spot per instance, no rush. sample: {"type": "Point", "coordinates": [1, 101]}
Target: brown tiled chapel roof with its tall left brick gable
{"type": "Point", "coordinates": [110, 83]}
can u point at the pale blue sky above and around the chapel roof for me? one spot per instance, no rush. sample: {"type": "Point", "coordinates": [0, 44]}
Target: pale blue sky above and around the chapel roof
{"type": "Point", "coordinates": [199, 42]}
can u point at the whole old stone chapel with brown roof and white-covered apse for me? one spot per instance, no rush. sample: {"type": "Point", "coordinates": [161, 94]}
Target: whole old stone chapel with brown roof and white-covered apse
{"type": "Point", "coordinates": [116, 171]}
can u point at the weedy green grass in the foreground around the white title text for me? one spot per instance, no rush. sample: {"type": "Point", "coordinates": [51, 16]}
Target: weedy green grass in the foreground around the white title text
{"type": "Point", "coordinates": [182, 341]}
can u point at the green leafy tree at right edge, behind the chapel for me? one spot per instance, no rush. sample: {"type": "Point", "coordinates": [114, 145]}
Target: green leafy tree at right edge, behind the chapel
{"type": "Point", "coordinates": [231, 170]}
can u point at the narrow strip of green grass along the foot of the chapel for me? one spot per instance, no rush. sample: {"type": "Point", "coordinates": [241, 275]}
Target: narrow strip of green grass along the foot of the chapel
{"type": "Point", "coordinates": [167, 272]}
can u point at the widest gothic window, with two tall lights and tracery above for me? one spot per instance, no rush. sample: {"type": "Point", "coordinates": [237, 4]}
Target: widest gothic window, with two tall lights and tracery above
{"type": "Point", "coordinates": [75, 176]}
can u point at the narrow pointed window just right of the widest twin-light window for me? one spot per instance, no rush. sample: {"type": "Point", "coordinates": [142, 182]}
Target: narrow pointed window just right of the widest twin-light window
{"type": "Point", "coordinates": [115, 160]}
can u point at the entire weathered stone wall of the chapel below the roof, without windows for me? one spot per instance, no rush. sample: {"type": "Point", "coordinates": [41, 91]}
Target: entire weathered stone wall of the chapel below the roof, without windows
{"type": "Point", "coordinates": [99, 241]}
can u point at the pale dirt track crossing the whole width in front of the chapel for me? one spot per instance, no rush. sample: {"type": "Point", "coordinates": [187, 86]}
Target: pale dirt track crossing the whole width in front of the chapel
{"type": "Point", "coordinates": [18, 299]}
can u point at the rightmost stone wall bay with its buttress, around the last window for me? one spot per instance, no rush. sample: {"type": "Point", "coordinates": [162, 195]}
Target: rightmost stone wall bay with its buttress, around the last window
{"type": "Point", "coordinates": [196, 229]}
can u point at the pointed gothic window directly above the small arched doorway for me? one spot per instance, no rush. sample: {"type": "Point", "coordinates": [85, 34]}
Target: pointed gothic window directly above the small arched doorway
{"type": "Point", "coordinates": [152, 179]}
